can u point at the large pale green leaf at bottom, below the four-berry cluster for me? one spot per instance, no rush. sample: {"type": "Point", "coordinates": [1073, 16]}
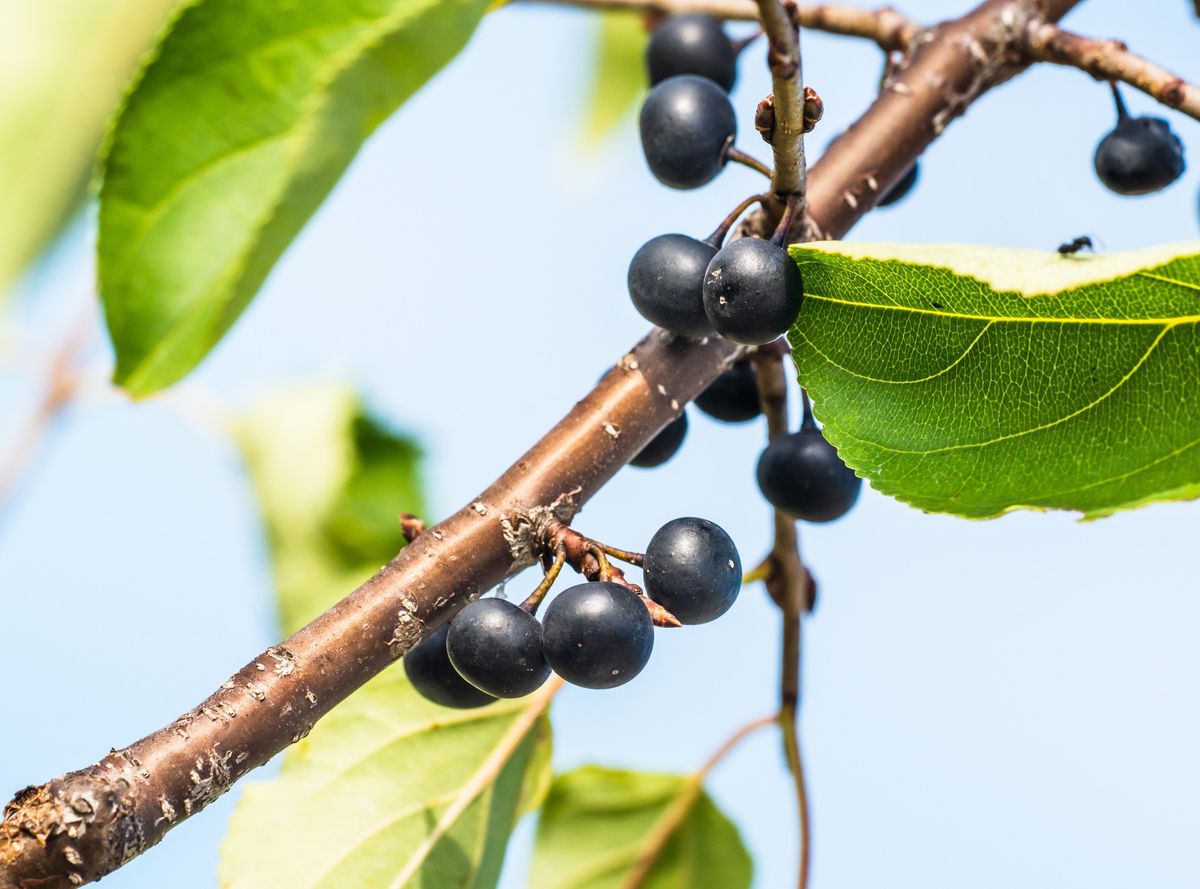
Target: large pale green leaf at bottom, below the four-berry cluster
{"type": "Point", "coordinates": [359, 802]}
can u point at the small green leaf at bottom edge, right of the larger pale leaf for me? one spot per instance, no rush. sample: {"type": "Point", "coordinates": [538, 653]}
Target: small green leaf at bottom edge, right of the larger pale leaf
{"type": "Point", "coordinates": [598, 824]}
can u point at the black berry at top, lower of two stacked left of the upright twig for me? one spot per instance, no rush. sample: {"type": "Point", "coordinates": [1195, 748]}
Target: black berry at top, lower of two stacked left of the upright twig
{"type": "Point", "coordinates": [687, 125]}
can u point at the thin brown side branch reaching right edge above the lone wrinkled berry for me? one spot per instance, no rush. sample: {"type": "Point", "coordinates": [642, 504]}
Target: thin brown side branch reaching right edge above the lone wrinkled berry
{"type": "Point", "coordinates": [1112, 61]}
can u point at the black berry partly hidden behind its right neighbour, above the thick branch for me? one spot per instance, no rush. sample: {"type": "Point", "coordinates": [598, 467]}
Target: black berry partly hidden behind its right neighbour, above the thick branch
{"type": "Point", "coordinates": [665, 280]}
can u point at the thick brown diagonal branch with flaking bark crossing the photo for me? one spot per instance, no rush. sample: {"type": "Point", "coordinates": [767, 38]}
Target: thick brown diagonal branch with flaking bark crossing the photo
{"type": "Point", "coordinates": [87, 824]}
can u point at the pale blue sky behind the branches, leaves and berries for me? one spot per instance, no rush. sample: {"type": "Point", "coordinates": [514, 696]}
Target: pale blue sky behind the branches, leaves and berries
{"type": "Point", "coordinates": [987, 705]}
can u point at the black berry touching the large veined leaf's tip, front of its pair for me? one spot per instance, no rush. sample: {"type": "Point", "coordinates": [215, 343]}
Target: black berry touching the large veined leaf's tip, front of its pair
{"type": "Point", "coordinates": [753, 292]}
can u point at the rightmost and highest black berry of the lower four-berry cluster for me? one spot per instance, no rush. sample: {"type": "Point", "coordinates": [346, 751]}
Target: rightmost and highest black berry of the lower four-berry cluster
{"type": "Point", "coordinates": [693, 570]}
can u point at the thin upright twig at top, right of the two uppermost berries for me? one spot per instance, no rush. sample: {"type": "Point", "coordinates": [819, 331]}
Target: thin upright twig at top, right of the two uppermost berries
{"type": "Point", "coordinates": [788, 121]}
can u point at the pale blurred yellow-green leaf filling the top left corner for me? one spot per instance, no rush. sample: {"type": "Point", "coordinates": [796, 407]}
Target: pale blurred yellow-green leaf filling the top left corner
{"type": "Point", "coordinates": [63, 67]}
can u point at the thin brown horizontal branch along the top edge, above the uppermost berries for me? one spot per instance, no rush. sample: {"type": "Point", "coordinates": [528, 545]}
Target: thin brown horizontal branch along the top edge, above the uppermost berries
{"type": "Point", "coordinates": [886, 27]}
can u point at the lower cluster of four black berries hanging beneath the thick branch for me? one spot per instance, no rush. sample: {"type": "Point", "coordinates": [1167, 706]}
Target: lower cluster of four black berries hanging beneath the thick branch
{"type": "Point", "coordinates": [598, 635]}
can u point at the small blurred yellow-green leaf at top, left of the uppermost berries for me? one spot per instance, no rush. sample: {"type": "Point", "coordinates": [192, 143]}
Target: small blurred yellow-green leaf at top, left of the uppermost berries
{"type": "Point", "coordinates": [619, 74]}
